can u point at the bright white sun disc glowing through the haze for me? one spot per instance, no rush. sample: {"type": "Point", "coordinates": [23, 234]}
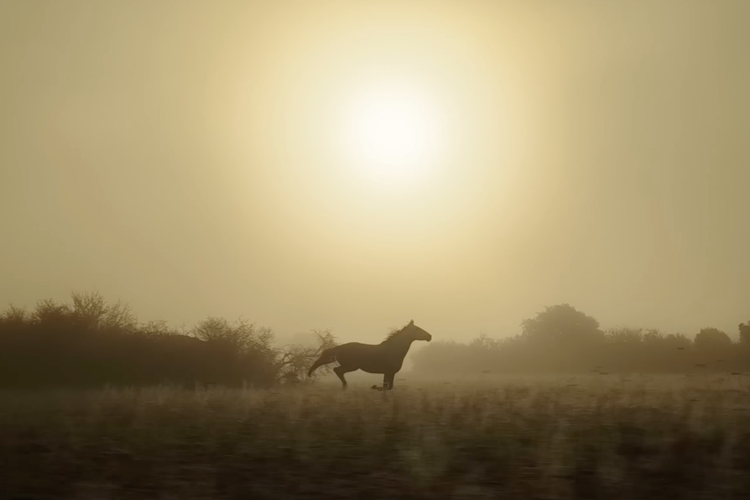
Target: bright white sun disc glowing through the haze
{"type": "Point", "coordinates": [394, 132]}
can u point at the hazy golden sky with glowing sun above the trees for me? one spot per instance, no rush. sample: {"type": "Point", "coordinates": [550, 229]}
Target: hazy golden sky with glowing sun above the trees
{"type": "Point", "coordinates": [213, 158]}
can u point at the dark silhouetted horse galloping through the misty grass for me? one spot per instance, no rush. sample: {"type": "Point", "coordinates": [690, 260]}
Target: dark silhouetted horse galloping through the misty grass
{"type": "Point", "coordinates": [386, 357]}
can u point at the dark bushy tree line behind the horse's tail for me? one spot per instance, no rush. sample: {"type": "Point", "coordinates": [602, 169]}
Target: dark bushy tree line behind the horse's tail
{"type": "Point", "coordinates": [90, 343]}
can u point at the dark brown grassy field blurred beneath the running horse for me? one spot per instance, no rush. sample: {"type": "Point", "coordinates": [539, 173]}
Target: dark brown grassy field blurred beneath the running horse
{"type": "Point", "coordinates": [526, 438]}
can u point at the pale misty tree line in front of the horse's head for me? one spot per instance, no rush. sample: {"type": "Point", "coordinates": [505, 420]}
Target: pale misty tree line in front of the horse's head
{"type": "Point", "coordinates": [562, 339]}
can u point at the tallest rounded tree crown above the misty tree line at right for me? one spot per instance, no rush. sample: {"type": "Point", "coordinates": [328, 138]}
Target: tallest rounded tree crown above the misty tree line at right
{"type": "Point", "coordinates": [561, 324]}
